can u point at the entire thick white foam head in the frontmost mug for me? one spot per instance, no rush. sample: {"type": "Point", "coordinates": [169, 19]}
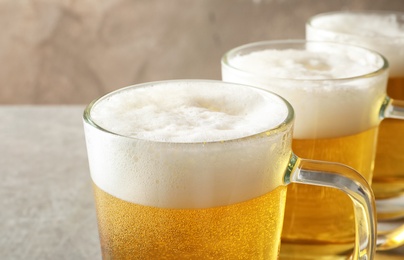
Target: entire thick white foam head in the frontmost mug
{"type": "Point", "coordinates": [167, 162]}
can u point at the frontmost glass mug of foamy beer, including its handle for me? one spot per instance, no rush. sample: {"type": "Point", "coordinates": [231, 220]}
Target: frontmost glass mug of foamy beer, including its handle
{"type": "Point", "coordinates": [198, 169]}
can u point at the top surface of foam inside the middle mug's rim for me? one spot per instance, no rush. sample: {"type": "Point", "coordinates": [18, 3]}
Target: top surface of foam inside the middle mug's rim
{"type": "Point", "coordinates": [298, 64]}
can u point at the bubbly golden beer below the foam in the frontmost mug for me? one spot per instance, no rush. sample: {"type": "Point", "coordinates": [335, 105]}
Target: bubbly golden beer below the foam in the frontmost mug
{"type": "Point", "coordinates": [247, 230]}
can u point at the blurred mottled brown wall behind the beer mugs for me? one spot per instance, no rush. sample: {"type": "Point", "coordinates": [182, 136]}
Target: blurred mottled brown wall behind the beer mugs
{"type": "Point", "coordinates": [72, 51]}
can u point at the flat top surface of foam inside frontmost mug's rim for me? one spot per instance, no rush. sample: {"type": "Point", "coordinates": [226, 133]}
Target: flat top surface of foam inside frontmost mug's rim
{"type": "Point", "coordinates": [196, 112]}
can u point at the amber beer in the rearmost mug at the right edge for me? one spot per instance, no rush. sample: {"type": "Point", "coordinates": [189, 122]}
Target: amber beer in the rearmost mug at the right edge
{"type": "Point", "coordinates": [388, 180]}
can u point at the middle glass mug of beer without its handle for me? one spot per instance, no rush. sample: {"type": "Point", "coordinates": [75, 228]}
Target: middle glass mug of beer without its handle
{"type": "Point", "coordinates": [338, 92]}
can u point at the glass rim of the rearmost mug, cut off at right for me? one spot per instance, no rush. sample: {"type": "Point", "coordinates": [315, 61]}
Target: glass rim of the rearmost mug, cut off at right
{"type": "Point", "coordinates": [310, 22]}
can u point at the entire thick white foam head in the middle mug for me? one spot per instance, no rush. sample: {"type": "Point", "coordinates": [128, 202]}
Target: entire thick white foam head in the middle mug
{"type": "Point", "coordinates": [324, 107]}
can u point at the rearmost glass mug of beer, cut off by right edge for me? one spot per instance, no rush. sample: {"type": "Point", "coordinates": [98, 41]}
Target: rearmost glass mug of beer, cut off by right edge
{"type": "Point", "coordinates": [384, 32]}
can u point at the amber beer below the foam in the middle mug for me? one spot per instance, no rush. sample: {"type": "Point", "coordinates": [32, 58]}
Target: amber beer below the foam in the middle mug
{"type": "Point", "coordinates": [319, 221]}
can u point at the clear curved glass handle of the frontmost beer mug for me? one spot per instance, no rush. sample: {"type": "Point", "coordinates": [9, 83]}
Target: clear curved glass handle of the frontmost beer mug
{"type": "Point", "coordinates": [346, 179]}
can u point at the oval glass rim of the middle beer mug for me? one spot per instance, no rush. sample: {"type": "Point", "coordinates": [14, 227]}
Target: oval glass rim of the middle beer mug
{"type": "Point", "coordinates": [226, 60]}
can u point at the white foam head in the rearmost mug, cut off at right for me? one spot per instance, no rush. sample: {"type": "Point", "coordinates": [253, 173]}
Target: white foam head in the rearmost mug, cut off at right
{"type": "Point", "coordinates": [381, 32]}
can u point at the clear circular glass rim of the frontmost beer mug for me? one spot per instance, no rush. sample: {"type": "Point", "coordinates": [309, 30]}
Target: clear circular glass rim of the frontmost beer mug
{"type": "Point", "coordinates": [281, 127]}
